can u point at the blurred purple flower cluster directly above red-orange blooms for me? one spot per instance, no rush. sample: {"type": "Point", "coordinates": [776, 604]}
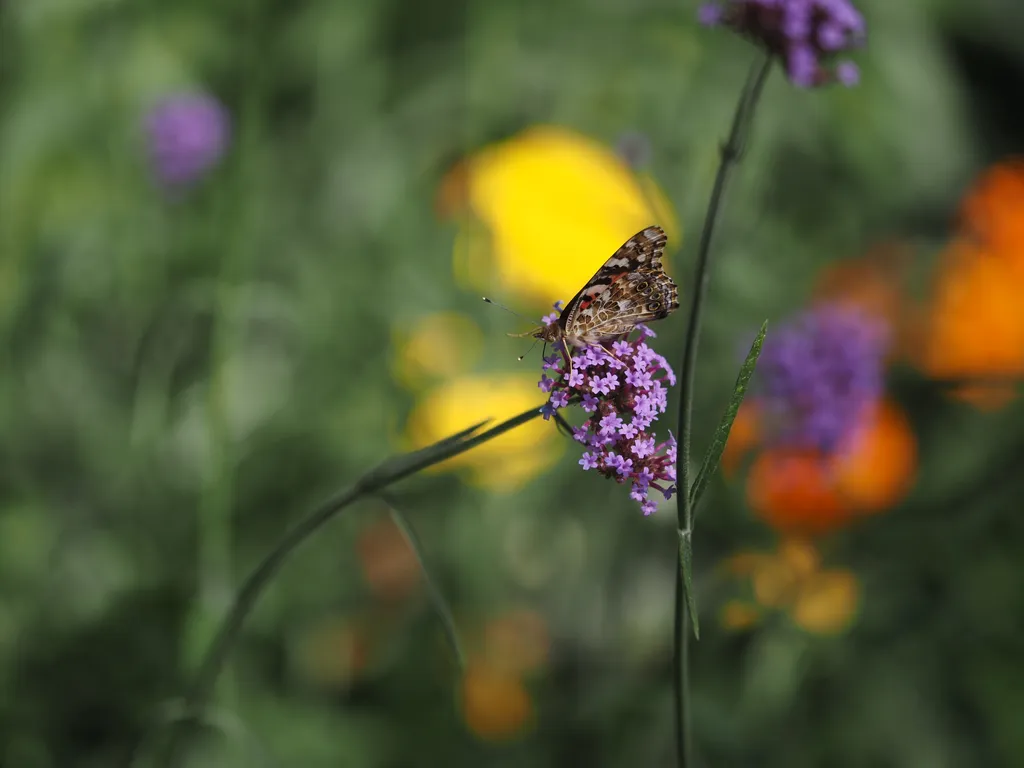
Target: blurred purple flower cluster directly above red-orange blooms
{"type": "Point", "coordinates": [819, 375]}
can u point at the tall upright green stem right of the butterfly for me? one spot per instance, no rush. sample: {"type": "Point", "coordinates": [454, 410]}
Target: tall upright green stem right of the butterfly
{"type": "Point", "coordinates": [732, 152]}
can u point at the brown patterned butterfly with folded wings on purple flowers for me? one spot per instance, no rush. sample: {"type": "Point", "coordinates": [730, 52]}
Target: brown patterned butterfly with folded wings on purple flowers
{"type": "Point", "coordinates": [630, 288]}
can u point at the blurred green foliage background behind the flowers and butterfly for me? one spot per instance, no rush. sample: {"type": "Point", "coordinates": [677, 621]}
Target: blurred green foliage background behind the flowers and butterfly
{"type": "Point", "coordinates": [185, 375]}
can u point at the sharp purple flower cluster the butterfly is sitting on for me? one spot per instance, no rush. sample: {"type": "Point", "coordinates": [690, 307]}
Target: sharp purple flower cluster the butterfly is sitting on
{"type": "Point", "coordinates": [623, 388]}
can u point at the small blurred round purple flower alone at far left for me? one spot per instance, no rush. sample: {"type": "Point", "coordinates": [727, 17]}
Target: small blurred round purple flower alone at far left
{"type": "Point", "coordinates": [187, 135]}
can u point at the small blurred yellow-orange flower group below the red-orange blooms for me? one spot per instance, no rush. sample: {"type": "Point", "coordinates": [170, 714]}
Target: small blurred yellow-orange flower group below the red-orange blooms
{"type": "Point", "coordinates": [791, 580]}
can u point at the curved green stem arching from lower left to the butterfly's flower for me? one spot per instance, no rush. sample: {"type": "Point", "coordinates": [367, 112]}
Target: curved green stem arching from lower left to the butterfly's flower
{"type": "Point", "coordinates": [371, 484]}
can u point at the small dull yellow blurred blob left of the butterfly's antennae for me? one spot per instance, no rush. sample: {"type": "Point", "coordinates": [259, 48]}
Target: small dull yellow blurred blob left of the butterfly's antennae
{"type": "Point", "coordinates": [440, 347]}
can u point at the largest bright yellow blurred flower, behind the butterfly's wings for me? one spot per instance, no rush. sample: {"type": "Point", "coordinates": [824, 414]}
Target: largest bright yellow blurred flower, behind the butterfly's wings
{"type": "Point", "coordinates": [554, 205]}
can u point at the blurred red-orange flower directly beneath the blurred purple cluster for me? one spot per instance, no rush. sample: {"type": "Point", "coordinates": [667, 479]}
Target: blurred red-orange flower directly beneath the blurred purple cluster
{"type": "Point", "coordinates": [805, 492]}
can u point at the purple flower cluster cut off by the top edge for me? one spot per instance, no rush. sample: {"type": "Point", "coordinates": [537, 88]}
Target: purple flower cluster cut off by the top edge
{"type": "Point", "coordinates": [805, 34]}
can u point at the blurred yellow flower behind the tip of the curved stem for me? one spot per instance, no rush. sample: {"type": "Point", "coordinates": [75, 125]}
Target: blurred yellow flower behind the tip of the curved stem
{"type": "Point", "coordinates": [506, 462]}
